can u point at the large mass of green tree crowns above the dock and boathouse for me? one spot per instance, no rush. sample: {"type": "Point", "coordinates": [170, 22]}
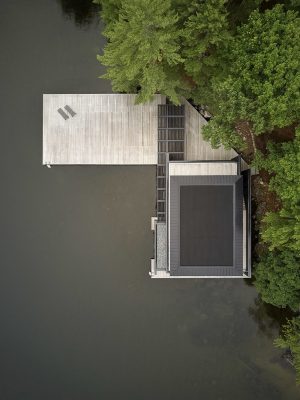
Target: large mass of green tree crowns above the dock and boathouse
{"type": "Point", "coordinates": [244, 64]}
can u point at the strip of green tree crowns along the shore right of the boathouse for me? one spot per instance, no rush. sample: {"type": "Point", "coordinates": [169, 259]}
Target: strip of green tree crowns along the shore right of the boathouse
{"type": "Point", "coordinates": [277, 273]}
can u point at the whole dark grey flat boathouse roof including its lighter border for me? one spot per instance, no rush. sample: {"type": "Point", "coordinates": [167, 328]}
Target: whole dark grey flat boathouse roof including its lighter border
{"type": "Point", "coordinates": [205, 225]}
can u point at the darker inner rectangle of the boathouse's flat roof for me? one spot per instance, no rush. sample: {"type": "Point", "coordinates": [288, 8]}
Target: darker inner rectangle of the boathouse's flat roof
{"type": "Point", "coordinates": [206, 225]}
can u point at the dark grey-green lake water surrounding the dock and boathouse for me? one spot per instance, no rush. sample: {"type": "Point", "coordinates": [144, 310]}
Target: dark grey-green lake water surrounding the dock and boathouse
{"type": "Point", "coordinates": [80, 317]}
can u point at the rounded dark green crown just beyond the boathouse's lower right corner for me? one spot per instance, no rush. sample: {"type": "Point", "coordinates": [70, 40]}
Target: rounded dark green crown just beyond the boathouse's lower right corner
{"type": "Point", "coordinates": [277, 278]}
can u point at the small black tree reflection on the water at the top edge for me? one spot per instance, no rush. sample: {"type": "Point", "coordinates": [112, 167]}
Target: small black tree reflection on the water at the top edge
{"type": "Point", "coordinates": [84, 12]}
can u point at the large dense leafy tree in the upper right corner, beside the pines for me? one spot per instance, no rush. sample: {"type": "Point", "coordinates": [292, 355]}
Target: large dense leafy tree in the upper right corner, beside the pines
{"type": "Point", "coordinates": [263, 83]}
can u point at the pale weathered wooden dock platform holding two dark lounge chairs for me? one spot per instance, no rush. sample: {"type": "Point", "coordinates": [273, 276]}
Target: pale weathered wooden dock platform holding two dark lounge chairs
{"type": "Point", "coordinates": [107, 129]}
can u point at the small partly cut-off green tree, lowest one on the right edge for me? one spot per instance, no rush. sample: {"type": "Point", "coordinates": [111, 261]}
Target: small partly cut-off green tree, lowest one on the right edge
{"type": "Point", "coordinates": [290, 339]}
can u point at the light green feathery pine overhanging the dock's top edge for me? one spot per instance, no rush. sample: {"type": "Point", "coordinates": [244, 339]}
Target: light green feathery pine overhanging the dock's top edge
{"type": "Point", "coordinates": [143, 50]}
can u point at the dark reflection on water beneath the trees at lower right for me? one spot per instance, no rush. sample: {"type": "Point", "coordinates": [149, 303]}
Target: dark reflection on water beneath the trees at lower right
{"type": "Point", "coordinates": [269, 319]}
